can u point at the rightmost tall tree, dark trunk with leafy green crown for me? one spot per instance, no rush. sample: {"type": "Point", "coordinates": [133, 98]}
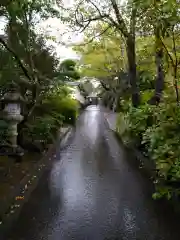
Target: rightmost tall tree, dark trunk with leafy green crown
{"type": "Point", "coordinates": [160, 17]}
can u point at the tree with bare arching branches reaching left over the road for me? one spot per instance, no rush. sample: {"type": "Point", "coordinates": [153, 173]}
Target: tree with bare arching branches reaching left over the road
{"type": "Point", "coordinates": [109, 13]}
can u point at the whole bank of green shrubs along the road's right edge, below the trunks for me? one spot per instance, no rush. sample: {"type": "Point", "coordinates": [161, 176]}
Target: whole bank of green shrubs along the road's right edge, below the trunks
{"type": "Point", "coordinates": [157, 130]}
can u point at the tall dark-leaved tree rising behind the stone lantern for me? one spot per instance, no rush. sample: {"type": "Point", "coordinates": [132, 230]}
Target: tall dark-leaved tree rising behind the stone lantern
{"type": "Point", "coordinates": [27, 61]}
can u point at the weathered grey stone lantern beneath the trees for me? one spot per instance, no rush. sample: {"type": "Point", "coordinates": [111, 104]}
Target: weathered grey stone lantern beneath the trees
{"type": "Point", "coordinates": [12, 114]}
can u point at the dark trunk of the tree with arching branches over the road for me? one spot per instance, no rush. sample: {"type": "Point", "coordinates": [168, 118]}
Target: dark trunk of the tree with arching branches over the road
{"type": "Point", "coordinates": [132, 71]}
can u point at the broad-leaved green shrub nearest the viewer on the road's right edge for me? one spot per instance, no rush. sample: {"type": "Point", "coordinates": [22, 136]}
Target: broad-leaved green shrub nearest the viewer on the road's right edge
{"type": "Point", "coordinates": [163, 141]}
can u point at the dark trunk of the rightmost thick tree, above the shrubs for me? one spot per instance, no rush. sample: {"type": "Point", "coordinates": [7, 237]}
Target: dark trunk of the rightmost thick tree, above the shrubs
{"type": "Point", "coordinates": [159, 84]}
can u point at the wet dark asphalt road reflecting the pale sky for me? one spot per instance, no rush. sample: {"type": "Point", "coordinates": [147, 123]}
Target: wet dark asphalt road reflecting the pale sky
{"type": "Point", "coordinates": [93, 192]}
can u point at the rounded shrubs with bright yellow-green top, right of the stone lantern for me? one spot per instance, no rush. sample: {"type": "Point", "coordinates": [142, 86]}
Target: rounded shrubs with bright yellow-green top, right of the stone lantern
{"type": "Point", "coordinates": [49, 117]}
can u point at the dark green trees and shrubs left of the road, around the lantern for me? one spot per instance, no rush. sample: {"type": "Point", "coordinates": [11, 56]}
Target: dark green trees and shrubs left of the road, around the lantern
{"type": "Point", "coordinates": [37, 73]}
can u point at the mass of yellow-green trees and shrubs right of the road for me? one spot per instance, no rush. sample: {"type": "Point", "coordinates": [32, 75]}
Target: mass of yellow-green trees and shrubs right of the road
{"type": "Point", "coordinates": [132, 49]}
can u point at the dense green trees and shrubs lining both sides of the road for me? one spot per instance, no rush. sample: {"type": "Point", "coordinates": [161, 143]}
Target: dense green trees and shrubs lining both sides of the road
{"type": "Point", "coordinates": [131, 48]}
